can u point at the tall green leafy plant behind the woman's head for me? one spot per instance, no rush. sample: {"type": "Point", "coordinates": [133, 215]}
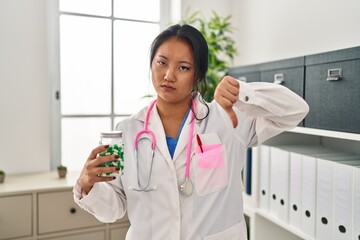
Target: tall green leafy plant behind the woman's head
{"type": "Point", "coordinates": [217, 32]}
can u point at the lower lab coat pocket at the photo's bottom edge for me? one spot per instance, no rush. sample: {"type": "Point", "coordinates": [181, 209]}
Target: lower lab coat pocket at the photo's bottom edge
{"type": "Point", "coordinates": [236, 232]}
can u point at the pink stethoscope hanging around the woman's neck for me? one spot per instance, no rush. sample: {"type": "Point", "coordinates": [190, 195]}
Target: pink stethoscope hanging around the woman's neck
{"type": "Point", "coordinates": [185, 187]}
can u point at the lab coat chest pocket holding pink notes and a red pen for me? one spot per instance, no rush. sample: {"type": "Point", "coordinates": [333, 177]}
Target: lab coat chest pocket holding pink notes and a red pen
{"type": "Point", "coordinates": [210, 169]}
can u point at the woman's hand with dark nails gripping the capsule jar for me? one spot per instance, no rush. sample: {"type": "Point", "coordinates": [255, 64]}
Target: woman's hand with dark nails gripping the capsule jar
{"type": "Point", "coordinates": [89, 174]}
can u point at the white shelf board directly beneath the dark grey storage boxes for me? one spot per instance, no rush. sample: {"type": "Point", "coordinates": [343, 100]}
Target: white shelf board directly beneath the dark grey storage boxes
{"type": "Point", "coordinates": [326, 133]}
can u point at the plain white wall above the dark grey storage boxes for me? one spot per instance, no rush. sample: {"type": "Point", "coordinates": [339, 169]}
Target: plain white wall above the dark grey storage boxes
{"type": "Point", "coordinates": [278, 29]}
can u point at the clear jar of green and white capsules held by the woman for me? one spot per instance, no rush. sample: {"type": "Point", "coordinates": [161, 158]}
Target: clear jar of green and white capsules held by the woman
{"type": "Point", "coordinates": [116, 147]}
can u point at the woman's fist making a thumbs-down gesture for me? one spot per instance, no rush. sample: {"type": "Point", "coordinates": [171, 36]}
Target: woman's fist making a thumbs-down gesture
{"type": "Point", "coordinates": [226, 94]}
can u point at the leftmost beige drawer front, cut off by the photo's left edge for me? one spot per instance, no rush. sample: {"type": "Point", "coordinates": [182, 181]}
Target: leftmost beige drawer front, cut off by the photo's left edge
{"type": "Point", "coordinates": [16, 216]}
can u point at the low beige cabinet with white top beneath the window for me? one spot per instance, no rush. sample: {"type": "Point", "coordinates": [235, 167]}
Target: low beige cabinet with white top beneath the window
{"type": "Point", "coordinates": [41, 207]}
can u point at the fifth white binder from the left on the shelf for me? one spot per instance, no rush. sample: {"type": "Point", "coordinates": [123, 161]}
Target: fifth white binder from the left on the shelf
{"type": "Point", "coordinates": [308, 191]}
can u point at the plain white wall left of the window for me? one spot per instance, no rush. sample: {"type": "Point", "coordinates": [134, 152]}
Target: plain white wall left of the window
{"type": "Point", "coordinates": [24, 95]}
